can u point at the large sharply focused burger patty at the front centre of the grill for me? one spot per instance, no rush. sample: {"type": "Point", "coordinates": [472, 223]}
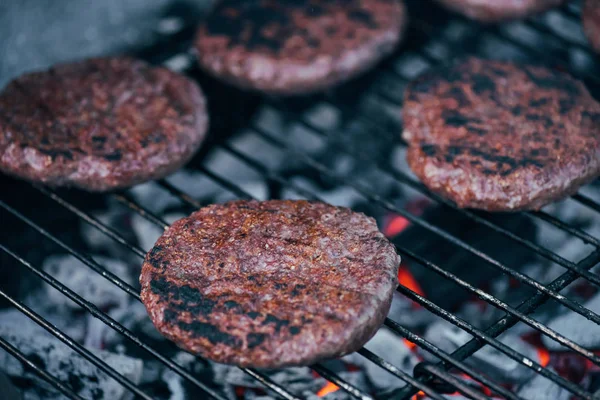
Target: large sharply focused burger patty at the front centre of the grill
{"type": "Point", "coordinates": [270, 284]}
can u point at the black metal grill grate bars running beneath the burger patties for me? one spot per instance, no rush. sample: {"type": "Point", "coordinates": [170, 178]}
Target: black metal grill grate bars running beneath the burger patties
{"type": "Point", "coordinates": [434, 379]}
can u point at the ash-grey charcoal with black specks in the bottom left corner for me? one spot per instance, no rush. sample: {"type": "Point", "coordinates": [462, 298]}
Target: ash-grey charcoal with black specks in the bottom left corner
{"type": "Point", "coordinates": [60, 361]}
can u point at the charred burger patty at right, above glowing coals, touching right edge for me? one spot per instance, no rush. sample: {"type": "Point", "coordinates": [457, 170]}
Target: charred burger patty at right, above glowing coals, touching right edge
{"type": "Point", "coordinates": [500, 136]}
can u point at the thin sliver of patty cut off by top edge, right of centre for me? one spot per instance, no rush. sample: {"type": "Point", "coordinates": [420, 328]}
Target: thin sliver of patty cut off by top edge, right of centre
{"type": "Point", "coordinates": [499, 10]}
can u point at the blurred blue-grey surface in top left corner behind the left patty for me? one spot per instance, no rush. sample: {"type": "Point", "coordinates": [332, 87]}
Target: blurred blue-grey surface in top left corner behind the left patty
{"type": "Point", "coordinates": [37, 33]}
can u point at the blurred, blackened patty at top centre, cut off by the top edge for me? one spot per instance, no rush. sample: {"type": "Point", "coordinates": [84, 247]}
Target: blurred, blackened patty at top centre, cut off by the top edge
{"type": "Point", "coordinates": [294, 47]}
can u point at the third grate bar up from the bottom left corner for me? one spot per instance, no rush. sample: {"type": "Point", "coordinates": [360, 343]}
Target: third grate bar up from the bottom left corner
{"type": "Point", "coordinates": [113, 324]}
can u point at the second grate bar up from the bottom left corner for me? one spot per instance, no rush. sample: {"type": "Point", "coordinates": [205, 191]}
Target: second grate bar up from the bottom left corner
{"type": "Point", "coordinates": [75, 346]}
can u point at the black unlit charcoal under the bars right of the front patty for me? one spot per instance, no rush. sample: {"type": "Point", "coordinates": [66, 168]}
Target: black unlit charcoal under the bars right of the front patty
{"type": "Point", "coordinates": [460, 262]}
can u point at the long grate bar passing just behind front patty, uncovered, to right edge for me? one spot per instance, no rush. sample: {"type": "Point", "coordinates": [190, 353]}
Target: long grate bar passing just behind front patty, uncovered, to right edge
{"type": "Point", "coordinates": [571, 304]}
